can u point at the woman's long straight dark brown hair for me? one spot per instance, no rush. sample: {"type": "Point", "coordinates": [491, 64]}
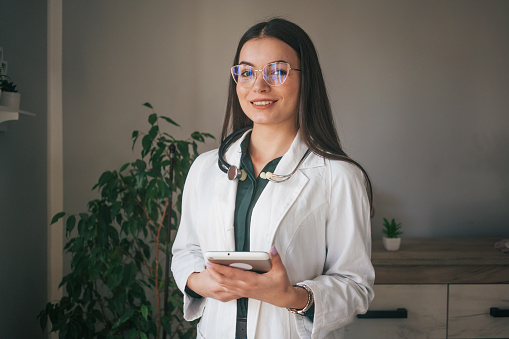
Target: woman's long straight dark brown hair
{"type": "Point", "coordinates": [315, 119]}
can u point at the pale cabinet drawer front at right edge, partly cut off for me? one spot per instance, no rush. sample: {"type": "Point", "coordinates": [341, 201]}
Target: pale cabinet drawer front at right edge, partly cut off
{"type": "Point", "coordinates": [469, 311]}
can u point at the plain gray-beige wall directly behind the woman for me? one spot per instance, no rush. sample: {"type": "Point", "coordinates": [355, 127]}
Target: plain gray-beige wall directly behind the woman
{"type": "Point", "coordinates": [419, 90]}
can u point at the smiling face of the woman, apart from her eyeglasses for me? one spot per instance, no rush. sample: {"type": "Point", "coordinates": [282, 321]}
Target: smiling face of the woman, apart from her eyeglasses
{"type": "Point", "coordinates": [262, 103]}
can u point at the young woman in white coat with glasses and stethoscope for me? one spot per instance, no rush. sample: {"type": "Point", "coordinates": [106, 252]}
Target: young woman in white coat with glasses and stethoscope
{"type": "Point", "coordinates": [290, 190]}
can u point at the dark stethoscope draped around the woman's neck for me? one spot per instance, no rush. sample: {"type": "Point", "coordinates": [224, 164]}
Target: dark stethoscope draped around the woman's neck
{"type": "Point", "coordinates": [235, 173]}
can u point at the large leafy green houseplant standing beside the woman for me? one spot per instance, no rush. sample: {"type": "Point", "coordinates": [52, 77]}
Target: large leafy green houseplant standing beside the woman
{"type": "Point", "coordinates": [116, 285]}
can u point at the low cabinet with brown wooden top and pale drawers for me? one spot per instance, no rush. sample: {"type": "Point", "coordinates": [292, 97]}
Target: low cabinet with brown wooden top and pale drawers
{"type": "Point", "coordinates": [445, 287]}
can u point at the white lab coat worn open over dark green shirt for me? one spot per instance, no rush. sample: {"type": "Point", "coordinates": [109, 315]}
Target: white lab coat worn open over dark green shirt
{"type": "Point", "coordinates": [319, 221]}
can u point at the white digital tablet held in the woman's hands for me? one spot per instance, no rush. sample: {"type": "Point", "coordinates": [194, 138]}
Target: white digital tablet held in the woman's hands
{"type": "Point", "coordinates": [249, 261]}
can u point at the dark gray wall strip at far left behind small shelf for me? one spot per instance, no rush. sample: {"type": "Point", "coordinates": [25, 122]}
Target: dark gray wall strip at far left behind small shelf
{"type": "Point", "coordinates": [23, 219]}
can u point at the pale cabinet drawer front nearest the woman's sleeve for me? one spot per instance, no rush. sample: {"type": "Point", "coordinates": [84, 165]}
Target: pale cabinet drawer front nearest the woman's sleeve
{"type": "Point", "coordinates": [426, 307]}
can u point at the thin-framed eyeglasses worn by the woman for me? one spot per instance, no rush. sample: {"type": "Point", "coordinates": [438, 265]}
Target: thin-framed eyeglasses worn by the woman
{"type": "Point", "coordinates": [275, 74]}
